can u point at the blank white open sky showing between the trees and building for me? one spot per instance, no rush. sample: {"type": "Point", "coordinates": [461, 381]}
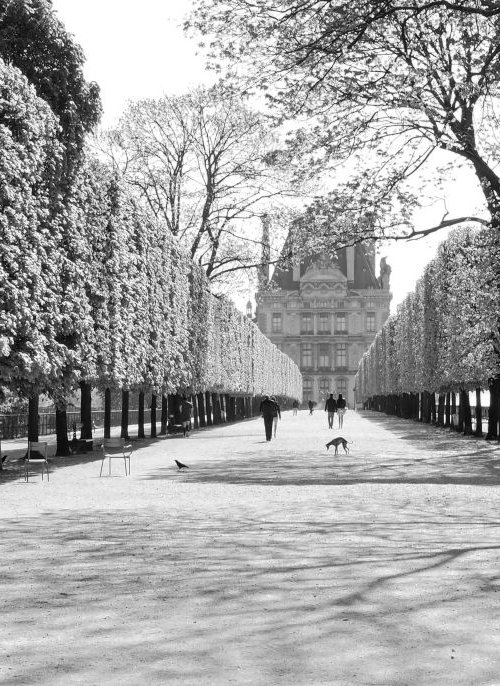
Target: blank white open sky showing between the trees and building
{"type": "Point", "coordinates": [136, 50]}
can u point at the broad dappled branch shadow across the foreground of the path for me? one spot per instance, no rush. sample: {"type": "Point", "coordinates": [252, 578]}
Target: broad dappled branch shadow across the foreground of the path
{"type": "Point", "coordinates": [180, 590]}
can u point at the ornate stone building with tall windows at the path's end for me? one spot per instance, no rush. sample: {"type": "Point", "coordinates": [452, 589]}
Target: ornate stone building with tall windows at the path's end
{"type": "Point", "coordinates": [324, 313]}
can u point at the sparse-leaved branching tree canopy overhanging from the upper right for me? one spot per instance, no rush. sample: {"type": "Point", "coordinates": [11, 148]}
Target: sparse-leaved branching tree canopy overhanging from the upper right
{"type": "Point", "coordinates": [388, 91]}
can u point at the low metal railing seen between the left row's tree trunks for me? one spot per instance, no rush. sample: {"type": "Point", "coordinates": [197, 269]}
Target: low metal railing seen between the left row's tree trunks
{"type": "Point", "coordinates": [16, 425]}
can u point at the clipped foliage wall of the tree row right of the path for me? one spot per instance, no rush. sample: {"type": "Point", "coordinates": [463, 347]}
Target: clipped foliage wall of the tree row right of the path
{"type": "Point", "coordinates": [445, 335]}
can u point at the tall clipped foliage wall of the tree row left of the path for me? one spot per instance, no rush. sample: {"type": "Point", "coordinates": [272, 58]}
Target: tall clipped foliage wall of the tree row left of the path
{"type": "Point", "coordinates": [95, 290]}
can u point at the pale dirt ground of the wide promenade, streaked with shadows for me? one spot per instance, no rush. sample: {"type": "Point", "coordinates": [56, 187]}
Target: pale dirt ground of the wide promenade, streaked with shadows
{"type": "Point", "coordinates": [264, 563]}
